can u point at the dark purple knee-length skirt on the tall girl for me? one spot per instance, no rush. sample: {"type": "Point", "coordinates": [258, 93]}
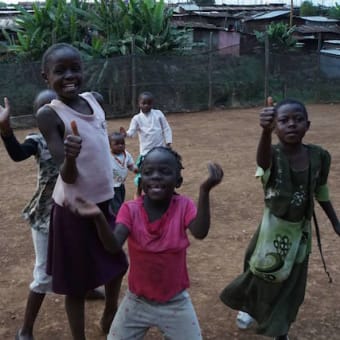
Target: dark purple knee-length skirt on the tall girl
{"type": "Point", "coordinates": [77, 259]}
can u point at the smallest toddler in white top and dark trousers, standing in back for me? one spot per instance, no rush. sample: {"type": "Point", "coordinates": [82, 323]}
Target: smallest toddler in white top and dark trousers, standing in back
{"type": "Point", "coordinates": [122, 162]}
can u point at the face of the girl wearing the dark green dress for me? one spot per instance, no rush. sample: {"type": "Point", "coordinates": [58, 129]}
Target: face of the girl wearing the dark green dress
{"type": "Point", "coordinates": [291, 123]}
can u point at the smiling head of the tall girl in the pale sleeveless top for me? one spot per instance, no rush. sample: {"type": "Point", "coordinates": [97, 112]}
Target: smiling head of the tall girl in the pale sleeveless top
{"type": "Point", "coordinates": [63, 72]}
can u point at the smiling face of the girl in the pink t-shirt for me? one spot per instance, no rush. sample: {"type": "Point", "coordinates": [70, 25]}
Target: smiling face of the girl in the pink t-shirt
{"type": "Point", "coordinates": [160, 175]}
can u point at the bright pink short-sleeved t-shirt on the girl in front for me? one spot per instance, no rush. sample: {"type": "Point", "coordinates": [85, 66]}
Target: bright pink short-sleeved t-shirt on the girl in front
{"type": "Point", "coordinates": [157, 250]}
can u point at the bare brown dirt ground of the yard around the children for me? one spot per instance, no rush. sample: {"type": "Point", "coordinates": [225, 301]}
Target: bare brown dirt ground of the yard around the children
{"type": "Point", "coordinates": [230, 138]}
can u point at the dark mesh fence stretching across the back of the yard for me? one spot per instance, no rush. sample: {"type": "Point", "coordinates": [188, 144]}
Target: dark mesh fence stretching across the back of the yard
{"type": "Point", "coordinates": [184, 83]}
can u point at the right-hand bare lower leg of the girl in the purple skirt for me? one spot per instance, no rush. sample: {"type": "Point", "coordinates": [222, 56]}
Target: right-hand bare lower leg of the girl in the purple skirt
{"type": "Point", "coordinates": [112, 289]}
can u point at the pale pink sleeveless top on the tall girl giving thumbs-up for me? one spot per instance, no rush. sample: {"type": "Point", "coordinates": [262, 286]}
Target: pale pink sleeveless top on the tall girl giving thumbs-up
{"type": "Point", "coordinates": [94, 181]}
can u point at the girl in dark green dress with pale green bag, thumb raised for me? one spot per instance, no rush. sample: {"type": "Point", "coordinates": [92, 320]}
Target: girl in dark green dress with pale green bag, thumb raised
{"type": "Point", "coordinates": [272, 286]}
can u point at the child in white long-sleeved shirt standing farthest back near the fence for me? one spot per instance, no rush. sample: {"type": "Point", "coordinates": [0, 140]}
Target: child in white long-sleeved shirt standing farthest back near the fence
{"type": "Point", "coordinates": [152, 128]}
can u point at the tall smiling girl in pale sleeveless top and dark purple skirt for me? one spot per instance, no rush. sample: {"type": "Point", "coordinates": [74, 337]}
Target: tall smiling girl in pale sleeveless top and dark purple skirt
{"type": "Point", "coordinates": [77, 259]}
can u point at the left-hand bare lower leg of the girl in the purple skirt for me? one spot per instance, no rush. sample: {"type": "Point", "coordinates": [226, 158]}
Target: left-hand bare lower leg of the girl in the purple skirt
{"type": "Point", "coordinates": [74, 306]}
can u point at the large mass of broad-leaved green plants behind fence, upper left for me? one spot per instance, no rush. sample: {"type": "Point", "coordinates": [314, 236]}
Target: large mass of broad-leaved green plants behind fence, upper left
{"type": "Point", "coordinates": [102, 29]}
